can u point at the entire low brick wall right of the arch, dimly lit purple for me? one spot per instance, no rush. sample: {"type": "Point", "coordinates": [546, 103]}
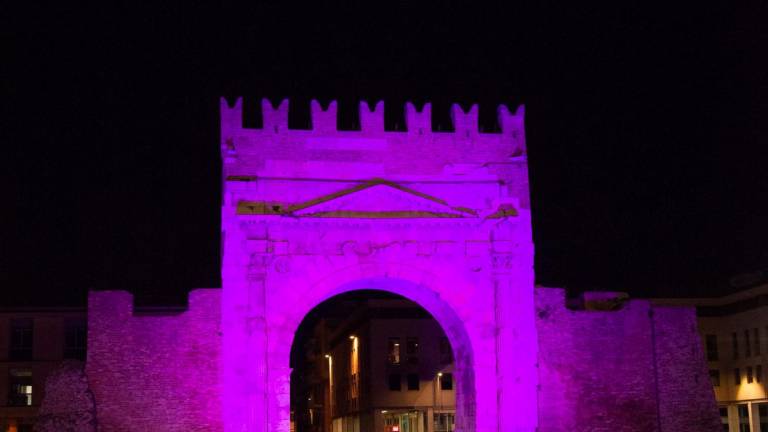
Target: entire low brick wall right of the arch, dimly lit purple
{"type": "Point", "coordinates": [639, 368]}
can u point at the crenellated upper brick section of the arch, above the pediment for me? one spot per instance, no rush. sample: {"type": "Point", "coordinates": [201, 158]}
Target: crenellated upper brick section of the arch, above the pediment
{"type": "Point", "coordinates": [372, 151]}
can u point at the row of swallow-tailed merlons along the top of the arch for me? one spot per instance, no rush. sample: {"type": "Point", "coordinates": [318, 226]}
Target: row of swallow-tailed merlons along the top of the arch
{"type": "Point", "coordinates": [324, 119]}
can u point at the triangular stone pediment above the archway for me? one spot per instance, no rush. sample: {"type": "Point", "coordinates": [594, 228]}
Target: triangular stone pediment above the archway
{"type": "Point", "coordinates": [374, 199]}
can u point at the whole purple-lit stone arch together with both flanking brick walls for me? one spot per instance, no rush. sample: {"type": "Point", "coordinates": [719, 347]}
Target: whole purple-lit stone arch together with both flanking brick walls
{"type": "Point", "coordinates": [441, 218]}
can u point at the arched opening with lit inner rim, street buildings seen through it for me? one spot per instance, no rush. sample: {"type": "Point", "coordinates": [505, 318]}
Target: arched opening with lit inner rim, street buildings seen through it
{"type": "Point", "coordinates": [372, 358]}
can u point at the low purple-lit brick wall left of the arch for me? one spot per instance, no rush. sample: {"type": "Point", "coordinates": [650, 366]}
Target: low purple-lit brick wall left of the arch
{"type": "Point", "coordinates": [155, 373]}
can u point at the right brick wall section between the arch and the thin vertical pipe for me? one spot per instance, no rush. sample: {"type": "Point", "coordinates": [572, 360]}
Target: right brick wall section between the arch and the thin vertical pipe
{"type": "Point", "coordinates": [596, 368]}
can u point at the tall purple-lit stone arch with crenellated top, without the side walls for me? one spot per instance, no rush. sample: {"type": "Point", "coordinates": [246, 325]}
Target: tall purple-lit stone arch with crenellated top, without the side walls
{"type": "Point", "coordinates": [441, 218]}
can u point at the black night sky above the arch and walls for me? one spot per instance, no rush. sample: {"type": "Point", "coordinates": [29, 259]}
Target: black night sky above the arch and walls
{"type": "Point", "coordinates": [647, 129]}
